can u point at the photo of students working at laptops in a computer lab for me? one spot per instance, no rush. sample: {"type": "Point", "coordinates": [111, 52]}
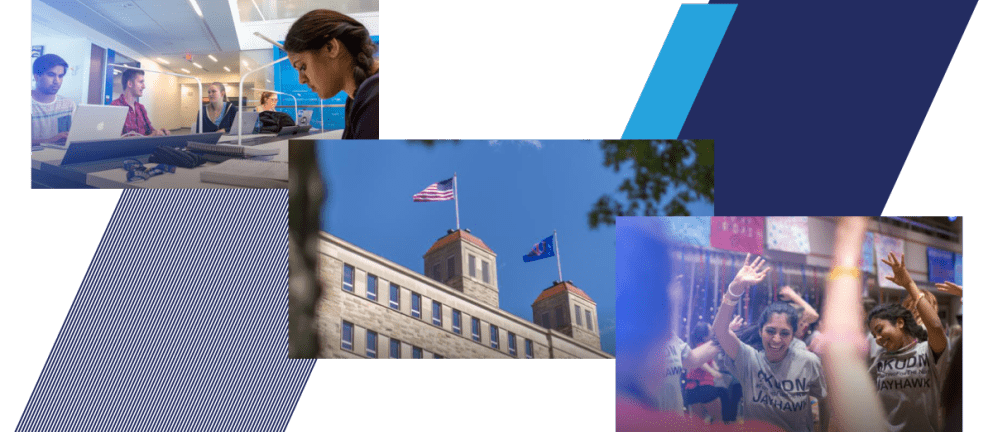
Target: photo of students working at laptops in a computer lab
{"type": "Point", "coordinates": [189, 94]}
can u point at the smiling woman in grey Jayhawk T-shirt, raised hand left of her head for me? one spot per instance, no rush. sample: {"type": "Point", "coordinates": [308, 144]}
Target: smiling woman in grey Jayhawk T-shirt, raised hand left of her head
{"type": "Point", "coordinates": [777, 380]}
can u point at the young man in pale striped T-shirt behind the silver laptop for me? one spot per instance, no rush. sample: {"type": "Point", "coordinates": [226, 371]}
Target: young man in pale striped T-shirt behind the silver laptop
{"type": "Point", "coordinates": [51, 114]}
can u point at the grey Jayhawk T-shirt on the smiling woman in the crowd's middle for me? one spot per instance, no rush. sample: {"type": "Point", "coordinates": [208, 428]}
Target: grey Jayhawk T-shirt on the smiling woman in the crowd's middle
{"type": "Point", "coordinates": [778, 393]}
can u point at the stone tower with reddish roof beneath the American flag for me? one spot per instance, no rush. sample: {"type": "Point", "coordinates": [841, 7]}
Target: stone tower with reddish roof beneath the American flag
{"type": "Point", "coordinates": [462, 261]}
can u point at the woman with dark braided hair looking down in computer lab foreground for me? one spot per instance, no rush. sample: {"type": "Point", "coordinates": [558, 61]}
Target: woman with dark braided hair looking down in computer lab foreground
{"type": "Point", "coordinates": [332, 53]}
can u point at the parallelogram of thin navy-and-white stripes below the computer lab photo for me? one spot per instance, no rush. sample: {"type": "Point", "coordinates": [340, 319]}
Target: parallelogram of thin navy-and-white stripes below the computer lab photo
{"type": "Point", "coordinates": [180, 322]}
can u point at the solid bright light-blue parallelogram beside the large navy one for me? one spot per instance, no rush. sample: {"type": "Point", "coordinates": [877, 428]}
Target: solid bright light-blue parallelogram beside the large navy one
{"type": "Point", "coordinates": [679, 70]}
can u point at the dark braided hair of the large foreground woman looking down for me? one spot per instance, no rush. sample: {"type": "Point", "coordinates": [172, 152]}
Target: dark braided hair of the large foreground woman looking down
{"type": "Point", "coordinates": [317, 27]}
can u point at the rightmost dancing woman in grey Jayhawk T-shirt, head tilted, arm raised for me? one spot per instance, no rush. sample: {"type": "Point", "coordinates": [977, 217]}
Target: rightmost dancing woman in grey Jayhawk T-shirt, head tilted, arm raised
{"type": "Point", "coordinates": [906, 371]}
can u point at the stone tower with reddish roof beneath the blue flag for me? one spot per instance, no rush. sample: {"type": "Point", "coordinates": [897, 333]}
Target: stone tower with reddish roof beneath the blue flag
{"type": "Point", "coordinates": [568, 309]}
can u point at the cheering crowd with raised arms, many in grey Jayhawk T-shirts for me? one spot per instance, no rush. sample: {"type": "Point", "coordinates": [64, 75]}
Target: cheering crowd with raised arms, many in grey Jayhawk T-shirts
{"type": "Point", "coordinates": [868, 368]}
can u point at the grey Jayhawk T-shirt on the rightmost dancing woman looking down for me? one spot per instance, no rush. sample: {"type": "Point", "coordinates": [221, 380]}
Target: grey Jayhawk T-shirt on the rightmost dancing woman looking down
{"type": "Point", "coordinates": [908, 383]}
